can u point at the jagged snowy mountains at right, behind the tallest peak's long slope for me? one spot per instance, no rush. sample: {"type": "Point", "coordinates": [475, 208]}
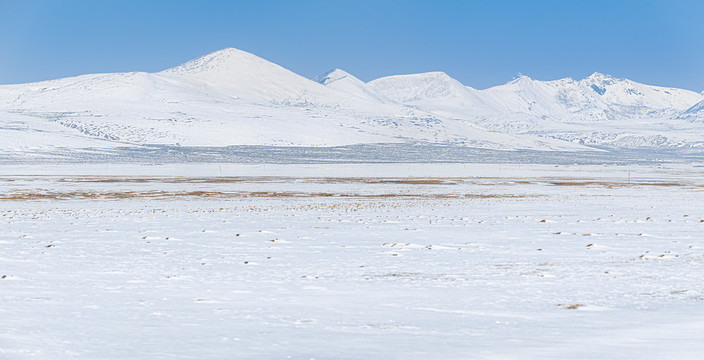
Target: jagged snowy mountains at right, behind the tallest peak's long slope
{"type": "Point", "coordinates": [597, 110]}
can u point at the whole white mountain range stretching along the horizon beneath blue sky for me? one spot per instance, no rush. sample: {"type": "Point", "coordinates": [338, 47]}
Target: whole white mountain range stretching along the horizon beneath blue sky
{"type": "Point", "coordinates": [231, 97]}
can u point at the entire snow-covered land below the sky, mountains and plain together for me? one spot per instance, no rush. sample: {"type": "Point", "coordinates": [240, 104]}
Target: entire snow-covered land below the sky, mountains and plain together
{"type": "Point", "coordinates": [228, 208]}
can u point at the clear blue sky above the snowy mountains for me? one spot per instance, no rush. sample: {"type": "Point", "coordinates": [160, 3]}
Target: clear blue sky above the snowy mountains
{"type": "Point", "coordinates": [480, 43]}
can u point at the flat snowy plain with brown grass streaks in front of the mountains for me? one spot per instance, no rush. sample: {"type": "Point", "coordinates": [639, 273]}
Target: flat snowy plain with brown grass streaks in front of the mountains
{"type": "Point", "coordinates": [405, 261]}
